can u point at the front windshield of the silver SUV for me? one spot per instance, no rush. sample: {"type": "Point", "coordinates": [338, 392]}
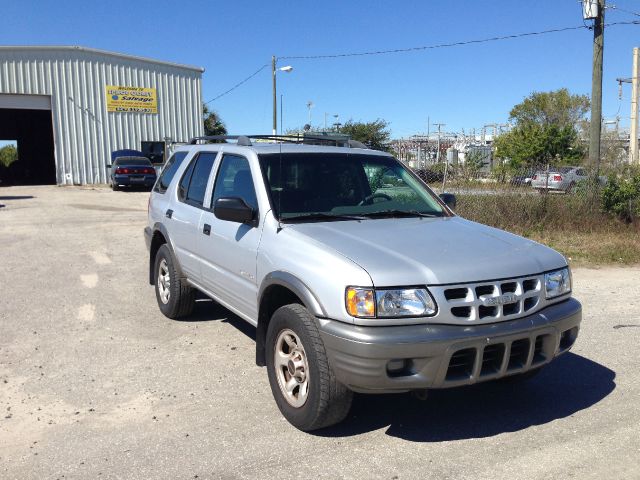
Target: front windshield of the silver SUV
{"type": "Point", "coordinates": [325, 186]}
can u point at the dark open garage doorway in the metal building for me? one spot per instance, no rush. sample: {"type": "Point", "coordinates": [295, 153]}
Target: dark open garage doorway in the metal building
{"type": "Point", "coordinates": [27, 119]}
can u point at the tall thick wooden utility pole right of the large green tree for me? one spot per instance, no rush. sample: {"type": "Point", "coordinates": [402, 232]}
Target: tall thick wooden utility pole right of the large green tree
{"type": "Point", "coordinates": [596, 88]}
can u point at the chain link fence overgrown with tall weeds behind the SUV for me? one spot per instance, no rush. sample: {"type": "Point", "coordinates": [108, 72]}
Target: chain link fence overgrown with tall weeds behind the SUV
{"type": "Point", "coordinates": [535, 198]}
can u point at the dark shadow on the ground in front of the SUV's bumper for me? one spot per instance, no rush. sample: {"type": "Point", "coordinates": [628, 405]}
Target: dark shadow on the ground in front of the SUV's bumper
{"type": "Point", "coordinates": [570, 384]}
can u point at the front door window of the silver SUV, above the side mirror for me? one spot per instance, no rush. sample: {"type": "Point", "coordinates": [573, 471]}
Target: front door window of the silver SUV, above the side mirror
{"type": "Point", "coordinates": [234, 180]}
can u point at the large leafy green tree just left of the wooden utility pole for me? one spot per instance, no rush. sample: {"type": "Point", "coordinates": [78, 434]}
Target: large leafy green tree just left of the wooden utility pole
{"type": "Point", "coordinates": [546, 129]}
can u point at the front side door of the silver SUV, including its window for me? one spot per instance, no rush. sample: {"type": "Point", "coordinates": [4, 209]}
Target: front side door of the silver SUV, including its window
{"type": "Point", "coordinates": [228, 249]}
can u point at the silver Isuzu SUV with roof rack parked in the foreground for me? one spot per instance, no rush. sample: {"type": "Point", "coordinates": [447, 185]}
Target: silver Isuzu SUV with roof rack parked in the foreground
{"type": "Point", "coordinates": [357, 277]}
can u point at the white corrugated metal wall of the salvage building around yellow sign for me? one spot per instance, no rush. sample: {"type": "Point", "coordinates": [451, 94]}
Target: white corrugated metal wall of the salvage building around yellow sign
{"type": "Point", "coordinates": [85, 134]}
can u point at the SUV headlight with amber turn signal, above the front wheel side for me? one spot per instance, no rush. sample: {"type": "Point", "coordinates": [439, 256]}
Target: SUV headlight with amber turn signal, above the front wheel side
{"type": "Point", "coordinates": [389, 303]}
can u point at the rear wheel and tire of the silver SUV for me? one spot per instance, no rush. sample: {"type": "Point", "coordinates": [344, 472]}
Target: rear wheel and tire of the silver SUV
{"type": "Point", "coordinates": [175, 297]}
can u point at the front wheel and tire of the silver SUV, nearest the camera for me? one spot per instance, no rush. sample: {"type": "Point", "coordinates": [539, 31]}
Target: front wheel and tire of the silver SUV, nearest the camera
{"type": "Point", "coordinates": [302, 381]}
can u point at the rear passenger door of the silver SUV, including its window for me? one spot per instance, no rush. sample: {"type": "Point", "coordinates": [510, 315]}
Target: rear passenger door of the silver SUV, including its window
{"type": "Point", "coordinates": [183, 218]}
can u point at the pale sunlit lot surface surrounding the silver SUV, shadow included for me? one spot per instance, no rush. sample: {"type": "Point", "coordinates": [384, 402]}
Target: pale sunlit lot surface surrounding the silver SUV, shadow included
{"type": "Point", "coordinates": [96, 383]}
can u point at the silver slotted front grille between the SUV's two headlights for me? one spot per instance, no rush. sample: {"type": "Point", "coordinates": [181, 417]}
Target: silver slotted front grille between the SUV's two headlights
{"type": "Point", "coordinates": [492, 301]}
